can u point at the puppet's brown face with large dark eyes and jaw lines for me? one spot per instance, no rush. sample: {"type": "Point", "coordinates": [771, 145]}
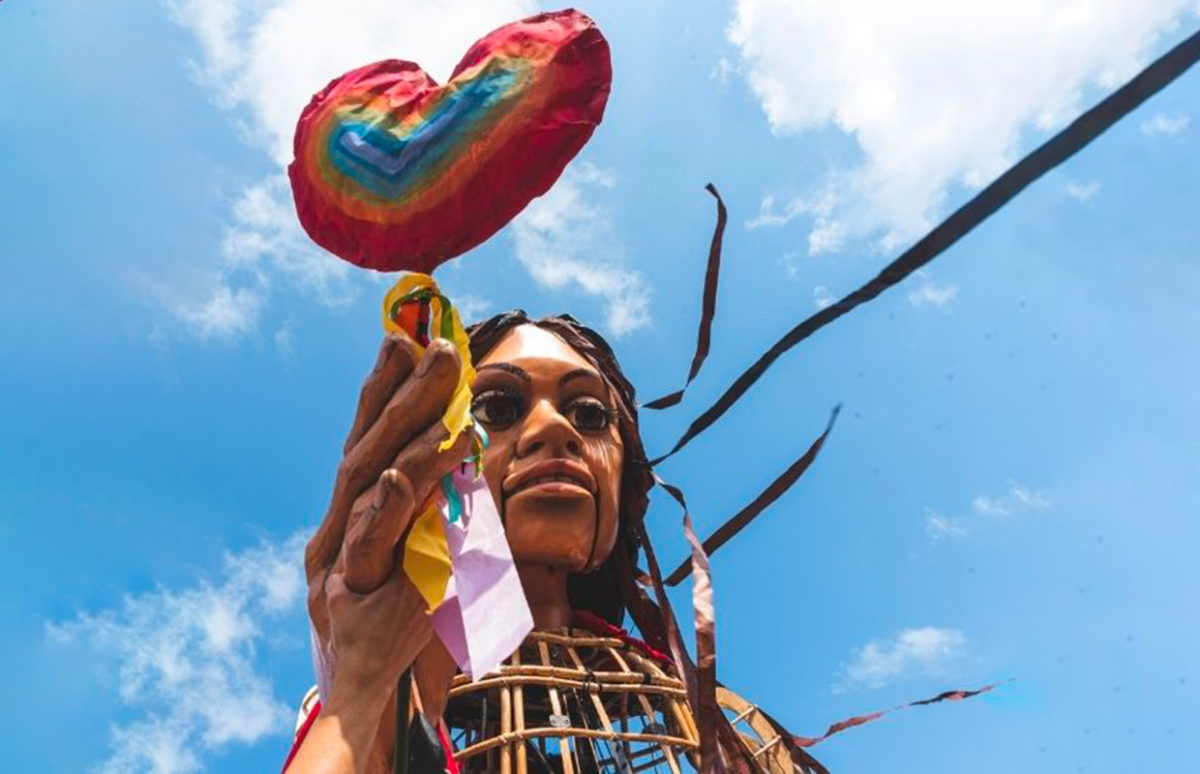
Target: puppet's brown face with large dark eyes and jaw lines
{"type": "Point", "coordinates": [555, 460]}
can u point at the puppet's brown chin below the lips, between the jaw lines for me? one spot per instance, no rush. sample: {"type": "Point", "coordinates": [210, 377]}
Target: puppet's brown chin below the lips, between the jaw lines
{"type": "Point", "coordinates": [551, 530]}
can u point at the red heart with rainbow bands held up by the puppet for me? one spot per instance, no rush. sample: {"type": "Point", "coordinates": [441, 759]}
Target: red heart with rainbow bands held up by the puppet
{"type": "Point", "coordinates": [394, 172]}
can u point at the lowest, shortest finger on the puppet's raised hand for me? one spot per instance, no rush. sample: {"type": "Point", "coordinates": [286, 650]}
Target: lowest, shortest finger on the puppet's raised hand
{"type": "Point", "coordinates": [380, 518]}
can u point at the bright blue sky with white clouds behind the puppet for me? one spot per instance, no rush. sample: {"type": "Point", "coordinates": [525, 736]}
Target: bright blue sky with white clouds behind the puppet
{"type": "Point", "coordinates": [1012, 490]}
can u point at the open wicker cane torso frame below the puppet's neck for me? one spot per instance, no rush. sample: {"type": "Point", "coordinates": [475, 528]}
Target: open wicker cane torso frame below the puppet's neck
{"type": "Point", "coordinates": [573, 703]}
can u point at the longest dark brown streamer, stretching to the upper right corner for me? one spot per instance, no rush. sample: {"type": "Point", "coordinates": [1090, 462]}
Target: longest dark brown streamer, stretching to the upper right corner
{"type": "Point", "coordinates": [1042, 160]}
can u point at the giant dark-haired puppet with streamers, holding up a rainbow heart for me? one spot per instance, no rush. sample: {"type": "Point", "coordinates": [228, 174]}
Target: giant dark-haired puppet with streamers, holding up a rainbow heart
{"type": "Point", "coordinates": [485, 538]}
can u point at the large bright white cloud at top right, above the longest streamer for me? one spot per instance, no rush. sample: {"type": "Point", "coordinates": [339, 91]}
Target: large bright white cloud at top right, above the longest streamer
{"type": "Point", "coordinates": [935, 93]}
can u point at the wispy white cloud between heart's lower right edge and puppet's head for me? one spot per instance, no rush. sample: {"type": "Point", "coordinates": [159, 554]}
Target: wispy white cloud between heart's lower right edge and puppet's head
{"type": "Point", "coordinates": [567, 239]}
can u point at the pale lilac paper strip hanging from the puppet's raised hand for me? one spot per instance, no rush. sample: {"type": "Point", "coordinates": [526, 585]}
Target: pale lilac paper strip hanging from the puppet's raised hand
{"type": "Point", "coordinates": [485, 616]}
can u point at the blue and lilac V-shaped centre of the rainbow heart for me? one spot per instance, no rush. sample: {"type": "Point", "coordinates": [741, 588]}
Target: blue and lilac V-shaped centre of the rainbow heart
{"type": "Point", "coordinates": [389, 166]}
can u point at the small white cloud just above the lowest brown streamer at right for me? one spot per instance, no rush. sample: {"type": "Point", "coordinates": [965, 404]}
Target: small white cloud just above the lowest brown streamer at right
{"type": "Point", "coordinates": [925, 652]}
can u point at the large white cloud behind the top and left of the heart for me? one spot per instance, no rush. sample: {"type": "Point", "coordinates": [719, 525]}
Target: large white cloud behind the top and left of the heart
{"type": "Point", "coordinates": [263, 61]}
